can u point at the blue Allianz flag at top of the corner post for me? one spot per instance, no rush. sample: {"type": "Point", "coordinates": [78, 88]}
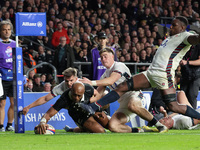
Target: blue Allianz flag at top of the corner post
{"type": "Point", "coordinates": [30, 24]}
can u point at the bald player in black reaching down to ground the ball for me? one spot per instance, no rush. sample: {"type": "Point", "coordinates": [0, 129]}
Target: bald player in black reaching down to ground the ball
{"type": "Point", "coordinates": [71, 99]}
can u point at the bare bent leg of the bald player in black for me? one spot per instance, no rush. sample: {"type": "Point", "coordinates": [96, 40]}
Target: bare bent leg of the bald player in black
{"type": "Point", "coordinates": [93, 126]}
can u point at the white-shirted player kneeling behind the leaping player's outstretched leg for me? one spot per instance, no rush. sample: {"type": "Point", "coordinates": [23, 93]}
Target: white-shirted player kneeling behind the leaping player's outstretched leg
{"type": "Point", "coordinates": [131, 103]}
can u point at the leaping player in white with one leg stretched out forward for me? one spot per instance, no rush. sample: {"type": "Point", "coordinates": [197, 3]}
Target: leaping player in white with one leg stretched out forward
{"type": "Point", "coordinates": [162, 70]}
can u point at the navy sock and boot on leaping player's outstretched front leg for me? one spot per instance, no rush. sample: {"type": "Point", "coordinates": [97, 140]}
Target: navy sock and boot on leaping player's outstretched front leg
{"type": "Point", "coordinates": [108, 98]}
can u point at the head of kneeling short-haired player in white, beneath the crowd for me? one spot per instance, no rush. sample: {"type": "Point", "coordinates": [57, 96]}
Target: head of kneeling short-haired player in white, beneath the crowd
{"type": "Point", "coordinates": [107, 57]}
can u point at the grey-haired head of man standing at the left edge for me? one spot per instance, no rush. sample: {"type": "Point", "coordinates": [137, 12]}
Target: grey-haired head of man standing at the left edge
{"type": "Point", "coordinates": [6, 28]}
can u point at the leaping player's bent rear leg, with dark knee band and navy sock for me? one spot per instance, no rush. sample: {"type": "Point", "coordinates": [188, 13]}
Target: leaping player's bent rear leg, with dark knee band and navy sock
{"type": "Point", "coordinates": [169, 97]}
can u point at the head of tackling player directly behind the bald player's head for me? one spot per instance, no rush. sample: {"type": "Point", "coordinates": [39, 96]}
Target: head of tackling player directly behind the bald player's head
{"type": "Point", "coordinates": [70, 76]}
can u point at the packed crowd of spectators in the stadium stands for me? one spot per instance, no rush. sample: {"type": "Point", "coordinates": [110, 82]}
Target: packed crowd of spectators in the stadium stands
{"type": "Point", "coordinates": [131, 27]}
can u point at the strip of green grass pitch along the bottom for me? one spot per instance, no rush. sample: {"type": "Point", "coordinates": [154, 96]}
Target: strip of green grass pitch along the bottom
{"type": "Point", "coordinates": [173, 140]}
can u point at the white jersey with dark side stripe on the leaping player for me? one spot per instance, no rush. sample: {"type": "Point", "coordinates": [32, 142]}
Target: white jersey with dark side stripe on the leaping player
{"type": "Point", "coordinates": [170, 53]}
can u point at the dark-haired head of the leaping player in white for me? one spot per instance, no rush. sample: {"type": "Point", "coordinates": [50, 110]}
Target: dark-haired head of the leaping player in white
{"type": "Point", "coordinates": [179, 24]}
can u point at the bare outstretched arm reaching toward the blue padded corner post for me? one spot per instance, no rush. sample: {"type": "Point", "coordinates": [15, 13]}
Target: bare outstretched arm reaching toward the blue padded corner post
{"type": "Point", "coordinates": [39, 101]}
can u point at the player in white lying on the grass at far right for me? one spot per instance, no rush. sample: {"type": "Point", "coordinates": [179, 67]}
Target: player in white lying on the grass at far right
{"type": "Point", "coordinates": [178, 121]}
